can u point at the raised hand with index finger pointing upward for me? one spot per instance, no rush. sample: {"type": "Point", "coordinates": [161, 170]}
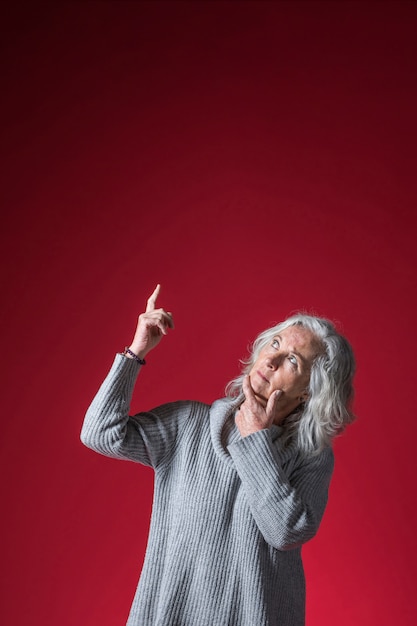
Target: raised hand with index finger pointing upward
{"type": "Point", "coordinates": [152, 326]}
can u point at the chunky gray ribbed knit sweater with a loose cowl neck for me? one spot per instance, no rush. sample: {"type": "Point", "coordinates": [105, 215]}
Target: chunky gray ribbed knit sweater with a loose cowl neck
{"type": "Point", "coordinates": [229, 515]}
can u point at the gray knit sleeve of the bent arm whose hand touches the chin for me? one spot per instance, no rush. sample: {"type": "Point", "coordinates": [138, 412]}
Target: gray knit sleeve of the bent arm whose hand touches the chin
{"type": "Point", "coordinates": [287, 509]}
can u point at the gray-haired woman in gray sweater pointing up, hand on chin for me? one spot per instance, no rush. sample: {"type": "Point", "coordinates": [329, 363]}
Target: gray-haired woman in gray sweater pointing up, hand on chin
{"type": "Point", "coordinates": [239, 485]}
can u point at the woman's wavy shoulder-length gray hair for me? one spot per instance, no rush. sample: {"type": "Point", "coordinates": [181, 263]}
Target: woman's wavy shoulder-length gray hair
{"type": "Point", "coordinates": [326, 412]}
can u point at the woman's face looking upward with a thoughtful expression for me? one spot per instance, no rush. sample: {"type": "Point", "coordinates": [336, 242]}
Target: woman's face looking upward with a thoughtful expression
{"type": "Point", "coordinates": [285, 364]}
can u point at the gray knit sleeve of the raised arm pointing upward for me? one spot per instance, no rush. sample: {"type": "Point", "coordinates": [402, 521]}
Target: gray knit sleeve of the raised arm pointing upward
{"type": "Point", "coordinates": [147, 437]}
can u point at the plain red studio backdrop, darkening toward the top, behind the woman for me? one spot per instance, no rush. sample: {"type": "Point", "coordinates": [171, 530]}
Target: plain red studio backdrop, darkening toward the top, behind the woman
{"type": "Point", "coordinates": [256, 159]}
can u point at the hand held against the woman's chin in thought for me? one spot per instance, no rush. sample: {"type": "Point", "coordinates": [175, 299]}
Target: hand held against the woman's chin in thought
{"type": "Point", "coordinates": [252, 416]}
